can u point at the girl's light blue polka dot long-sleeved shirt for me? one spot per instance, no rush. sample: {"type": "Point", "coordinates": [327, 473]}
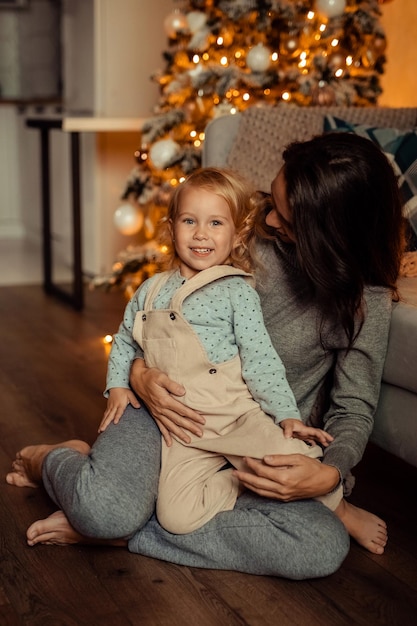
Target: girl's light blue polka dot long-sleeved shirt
{"type": "Point", "coordinates": [226, 315]}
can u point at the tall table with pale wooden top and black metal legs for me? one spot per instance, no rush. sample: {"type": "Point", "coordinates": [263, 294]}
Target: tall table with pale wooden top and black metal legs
{"type": "Point", "coordinates": [74, 126]}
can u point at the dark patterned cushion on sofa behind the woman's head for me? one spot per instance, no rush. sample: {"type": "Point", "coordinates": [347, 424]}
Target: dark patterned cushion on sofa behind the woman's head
{"type": "Point", "coordinates": [400, 146]}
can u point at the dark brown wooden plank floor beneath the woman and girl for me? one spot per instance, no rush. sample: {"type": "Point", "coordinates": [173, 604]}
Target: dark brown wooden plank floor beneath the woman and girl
{"type": "Point", "coordinates": [52, 373]}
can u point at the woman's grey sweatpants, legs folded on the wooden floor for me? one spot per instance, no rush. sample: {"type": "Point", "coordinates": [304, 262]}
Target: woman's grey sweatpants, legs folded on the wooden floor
{"type": "Point", "coordinates": [111, 493]}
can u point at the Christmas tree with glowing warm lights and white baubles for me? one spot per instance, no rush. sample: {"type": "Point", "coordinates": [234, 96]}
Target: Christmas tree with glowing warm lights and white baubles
{"type": "Point", "coordinates": [224, 56]}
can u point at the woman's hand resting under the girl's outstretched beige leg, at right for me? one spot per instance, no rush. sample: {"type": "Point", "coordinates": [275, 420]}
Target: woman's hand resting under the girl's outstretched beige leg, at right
{"type": "Point", "coordinates": [288, 477]}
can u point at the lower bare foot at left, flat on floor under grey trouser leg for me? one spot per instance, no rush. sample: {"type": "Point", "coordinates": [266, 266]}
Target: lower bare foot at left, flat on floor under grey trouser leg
{"type": "Point", "coordinates": [56, 530]}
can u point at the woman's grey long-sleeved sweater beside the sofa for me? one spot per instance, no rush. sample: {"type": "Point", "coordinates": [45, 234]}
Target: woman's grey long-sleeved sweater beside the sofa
{"type": "Point", "coordinates": [347, 410]}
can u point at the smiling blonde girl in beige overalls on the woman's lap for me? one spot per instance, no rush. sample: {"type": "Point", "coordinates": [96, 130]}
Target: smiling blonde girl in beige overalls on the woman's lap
{"type": "Point", "coordinates": [201, 323]}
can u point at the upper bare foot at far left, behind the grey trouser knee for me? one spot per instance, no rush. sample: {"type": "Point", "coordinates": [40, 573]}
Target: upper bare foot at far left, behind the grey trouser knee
{"type": "Point", "coordinates": [27, 466]}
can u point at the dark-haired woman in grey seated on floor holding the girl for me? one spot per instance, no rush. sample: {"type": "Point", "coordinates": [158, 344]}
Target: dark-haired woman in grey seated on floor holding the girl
{"type": "Point", "coordinates": [332, 251]}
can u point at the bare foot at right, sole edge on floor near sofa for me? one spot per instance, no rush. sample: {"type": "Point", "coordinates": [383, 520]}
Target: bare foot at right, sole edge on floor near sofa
{"type": "Point", "coordinates": [369, 530]}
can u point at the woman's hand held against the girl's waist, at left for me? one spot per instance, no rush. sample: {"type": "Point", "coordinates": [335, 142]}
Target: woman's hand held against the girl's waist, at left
{"type": "Point", "coordinates": [157, 390]}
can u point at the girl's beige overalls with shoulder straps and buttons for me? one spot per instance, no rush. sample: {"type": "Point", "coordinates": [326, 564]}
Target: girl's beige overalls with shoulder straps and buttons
{"type": "Point", "coordinates": [192, 489]}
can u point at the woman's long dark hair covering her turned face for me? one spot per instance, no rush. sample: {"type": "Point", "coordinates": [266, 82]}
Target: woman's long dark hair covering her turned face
{"type": "Point", "coordinates": [347, 221]}
